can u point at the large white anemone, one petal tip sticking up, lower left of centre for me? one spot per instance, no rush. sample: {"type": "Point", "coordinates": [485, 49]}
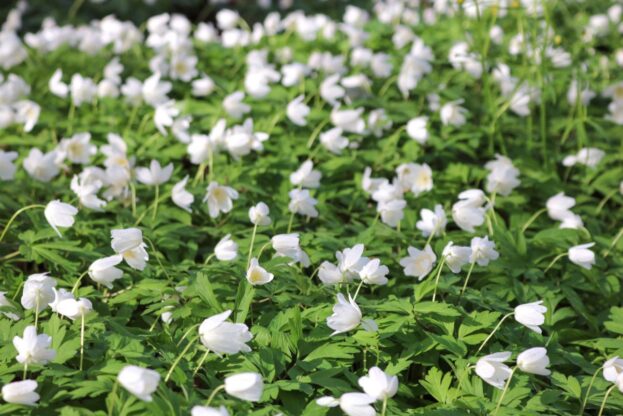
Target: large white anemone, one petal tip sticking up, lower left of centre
{"type": "Point", "coordinates": [224, 337]}
